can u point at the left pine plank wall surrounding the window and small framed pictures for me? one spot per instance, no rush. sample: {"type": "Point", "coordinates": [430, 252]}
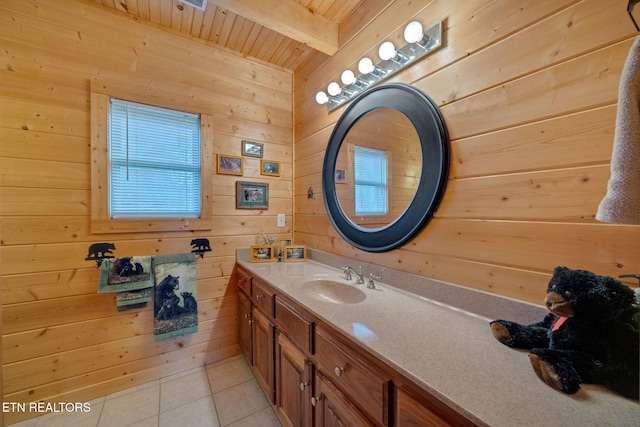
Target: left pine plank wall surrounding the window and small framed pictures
{"type": "Point", "coordinates": [61, 340]}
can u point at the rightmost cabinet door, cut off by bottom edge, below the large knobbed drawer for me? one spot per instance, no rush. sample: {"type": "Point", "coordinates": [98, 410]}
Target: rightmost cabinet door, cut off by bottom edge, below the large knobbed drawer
{"type": "Point", "coordinates": [332, 409]}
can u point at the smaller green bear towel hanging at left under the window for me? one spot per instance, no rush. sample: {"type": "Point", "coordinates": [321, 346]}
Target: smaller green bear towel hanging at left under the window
{"type": "Point", "coordinates": [125, 274]}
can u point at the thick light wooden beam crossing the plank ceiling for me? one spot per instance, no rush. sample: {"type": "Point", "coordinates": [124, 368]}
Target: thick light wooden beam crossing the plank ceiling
{"type": "Point", "coordinates": [290, 19]}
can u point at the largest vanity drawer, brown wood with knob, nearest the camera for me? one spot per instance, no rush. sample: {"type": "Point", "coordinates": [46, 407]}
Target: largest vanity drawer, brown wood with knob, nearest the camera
{"type": "Point", "coordinates": [368, 389]}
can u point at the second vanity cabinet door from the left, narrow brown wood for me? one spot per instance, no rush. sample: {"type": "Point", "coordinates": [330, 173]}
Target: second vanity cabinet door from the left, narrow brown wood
{"type": "Point", "coordinates": [263, 352]}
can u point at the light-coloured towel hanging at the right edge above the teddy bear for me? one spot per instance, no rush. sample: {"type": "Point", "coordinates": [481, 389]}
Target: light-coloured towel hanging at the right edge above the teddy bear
{"type": "Point", "coordinates": [622, 202]}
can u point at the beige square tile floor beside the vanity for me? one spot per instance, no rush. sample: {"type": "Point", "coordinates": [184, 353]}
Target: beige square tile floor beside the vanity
{"type": "Point", "coordinates": [217, 395]}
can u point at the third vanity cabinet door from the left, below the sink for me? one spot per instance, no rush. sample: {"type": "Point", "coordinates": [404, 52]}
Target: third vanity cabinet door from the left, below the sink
{"type": "Point", "coordinates": [293, 379]}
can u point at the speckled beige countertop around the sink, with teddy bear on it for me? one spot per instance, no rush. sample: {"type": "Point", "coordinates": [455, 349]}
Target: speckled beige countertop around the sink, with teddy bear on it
{"type": "Point", "coordinates": [450, 353]}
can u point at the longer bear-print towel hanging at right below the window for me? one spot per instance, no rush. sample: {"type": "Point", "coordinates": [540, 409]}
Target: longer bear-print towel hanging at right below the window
{"type": "Point", "coordinates": [175, 310]}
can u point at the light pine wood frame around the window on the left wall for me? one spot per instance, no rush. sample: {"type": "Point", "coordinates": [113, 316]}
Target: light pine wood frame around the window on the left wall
{"type": "Point", "coordinates": [101, 222]}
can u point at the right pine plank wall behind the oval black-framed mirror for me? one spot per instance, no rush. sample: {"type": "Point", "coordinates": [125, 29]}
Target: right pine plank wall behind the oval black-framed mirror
{"type": "Point", "coordinates": [528, 89]}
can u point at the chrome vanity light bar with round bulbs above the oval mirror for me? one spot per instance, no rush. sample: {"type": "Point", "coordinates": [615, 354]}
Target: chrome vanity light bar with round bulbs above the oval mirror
{"type": "Point", "coordinates": [419, 44]}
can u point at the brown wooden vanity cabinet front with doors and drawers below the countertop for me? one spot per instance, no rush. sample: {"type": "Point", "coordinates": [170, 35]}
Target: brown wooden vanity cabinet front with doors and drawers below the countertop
{"type": "Point", "coordinates": [316, 377]}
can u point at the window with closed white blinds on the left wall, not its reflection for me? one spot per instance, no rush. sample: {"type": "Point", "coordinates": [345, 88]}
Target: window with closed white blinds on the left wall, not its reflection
{"type": "Point", "coordinates": [154, 157]}
